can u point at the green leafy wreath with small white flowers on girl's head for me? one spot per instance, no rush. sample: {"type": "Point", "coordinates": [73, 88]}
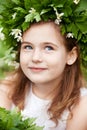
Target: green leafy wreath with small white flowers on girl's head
{"type": "Point", "coordinates": [17, 15]}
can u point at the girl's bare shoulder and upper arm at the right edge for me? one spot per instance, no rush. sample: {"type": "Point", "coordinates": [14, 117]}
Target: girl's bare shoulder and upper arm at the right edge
{"type": "Point", "coordinates": [79, 118]}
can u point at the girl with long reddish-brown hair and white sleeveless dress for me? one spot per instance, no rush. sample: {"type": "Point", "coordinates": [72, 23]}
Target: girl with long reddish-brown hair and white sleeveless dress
{"type": "Point", "coordinates": [48, 84]}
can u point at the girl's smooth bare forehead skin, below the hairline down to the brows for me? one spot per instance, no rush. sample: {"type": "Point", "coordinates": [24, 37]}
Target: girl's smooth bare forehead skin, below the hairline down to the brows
{"type": "Point", "coordinates": [42, 35]}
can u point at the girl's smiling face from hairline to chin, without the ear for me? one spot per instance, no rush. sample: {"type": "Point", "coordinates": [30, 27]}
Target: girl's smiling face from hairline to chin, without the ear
{"type": "Point", "coordinates": [43, 56]}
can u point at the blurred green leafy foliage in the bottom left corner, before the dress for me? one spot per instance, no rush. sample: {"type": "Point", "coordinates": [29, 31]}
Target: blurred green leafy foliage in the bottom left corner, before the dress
{"type": "Point", "coordinates": [13, 120]}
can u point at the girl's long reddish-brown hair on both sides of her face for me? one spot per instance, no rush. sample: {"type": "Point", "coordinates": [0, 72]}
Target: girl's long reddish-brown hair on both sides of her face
{"type": "Point", "coordinates": [68, 91]}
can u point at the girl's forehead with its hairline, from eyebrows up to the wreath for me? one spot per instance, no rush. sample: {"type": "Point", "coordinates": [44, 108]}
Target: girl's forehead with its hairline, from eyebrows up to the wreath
{"type": "Point", "coordinates": [48, 31]}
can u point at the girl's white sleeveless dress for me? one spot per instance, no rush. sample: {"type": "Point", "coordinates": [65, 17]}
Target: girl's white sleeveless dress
{"type": "Point", "coordinates": [37, 108]}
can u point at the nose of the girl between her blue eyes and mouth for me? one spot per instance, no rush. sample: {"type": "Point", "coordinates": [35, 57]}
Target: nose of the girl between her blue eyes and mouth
{"type": "Point", "coordinates": [37, 56]}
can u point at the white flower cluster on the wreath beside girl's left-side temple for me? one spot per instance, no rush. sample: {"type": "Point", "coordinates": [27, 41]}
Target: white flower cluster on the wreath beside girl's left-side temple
{"type": "Point", "coordinates": [17, 33]}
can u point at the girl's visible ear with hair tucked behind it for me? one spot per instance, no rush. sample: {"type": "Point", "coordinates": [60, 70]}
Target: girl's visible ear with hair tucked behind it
{"type": "Point", "coordinates": [72, 56]}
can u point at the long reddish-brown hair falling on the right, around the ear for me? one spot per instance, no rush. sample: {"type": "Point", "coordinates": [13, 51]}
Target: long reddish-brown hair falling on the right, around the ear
{"type": "Point", "coordinates": [68, 94]}
